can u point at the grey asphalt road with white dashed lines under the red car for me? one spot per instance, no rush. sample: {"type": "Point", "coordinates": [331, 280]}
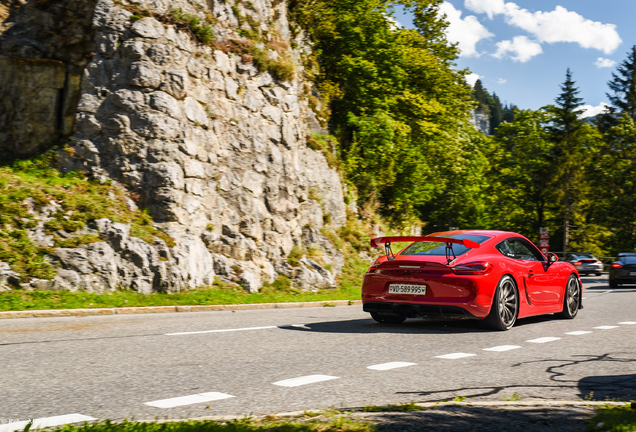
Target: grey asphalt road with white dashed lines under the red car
{"type": "Point", "coordinates": [182, 365]}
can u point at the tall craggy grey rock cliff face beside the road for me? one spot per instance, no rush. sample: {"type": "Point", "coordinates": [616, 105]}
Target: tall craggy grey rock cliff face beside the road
{"type": "Point", "coordinates": [213, 146]}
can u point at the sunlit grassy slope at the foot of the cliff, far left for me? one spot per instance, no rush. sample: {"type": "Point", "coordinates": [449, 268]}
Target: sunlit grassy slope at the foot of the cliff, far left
{"type": "Point", "coordinates": [74, 203]}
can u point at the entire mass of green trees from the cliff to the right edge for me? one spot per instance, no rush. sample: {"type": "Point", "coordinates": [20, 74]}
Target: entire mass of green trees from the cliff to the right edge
{"type": "Point", "coordinates": [399, 109]}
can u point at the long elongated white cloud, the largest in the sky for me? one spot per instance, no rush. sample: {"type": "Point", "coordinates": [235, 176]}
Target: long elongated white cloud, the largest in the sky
{"type": "Point", "coordinates": [560, 25]}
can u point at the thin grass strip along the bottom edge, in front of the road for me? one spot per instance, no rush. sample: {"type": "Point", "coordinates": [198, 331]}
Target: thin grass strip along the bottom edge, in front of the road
{"type": "Point", "coordinates": [271, 423]}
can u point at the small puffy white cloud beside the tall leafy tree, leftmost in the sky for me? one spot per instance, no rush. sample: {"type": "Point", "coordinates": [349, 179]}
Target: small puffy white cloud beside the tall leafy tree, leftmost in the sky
{"type": "Point", "coordinates": [467, 32]}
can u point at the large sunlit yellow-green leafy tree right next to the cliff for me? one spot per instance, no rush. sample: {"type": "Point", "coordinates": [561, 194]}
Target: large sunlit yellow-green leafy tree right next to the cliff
{"type": "Point", "coordinates": [398, 105]}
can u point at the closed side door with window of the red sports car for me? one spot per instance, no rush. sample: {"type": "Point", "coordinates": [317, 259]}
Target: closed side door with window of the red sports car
{"type": "Point", "coordinates": [540, 279]}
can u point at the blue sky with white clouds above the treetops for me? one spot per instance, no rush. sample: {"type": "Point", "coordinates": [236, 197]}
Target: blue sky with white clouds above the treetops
{"type": "Point", "coordinates": [521, 49]}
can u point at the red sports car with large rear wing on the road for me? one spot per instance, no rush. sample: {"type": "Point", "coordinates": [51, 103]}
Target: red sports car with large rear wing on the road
{"type": "Point", "coordinates": [494, 276]}
